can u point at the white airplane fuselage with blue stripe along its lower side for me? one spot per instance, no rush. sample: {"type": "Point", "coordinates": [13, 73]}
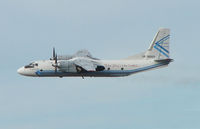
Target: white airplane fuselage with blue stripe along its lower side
{"type": "Point", "coordinates": [113, 68]}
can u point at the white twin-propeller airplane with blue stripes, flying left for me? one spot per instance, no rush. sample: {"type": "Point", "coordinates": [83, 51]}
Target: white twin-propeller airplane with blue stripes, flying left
{"type": "Point", "coordinates": [82, 64]}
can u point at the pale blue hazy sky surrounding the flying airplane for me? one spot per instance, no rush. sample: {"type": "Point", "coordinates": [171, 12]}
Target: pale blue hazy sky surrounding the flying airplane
{"type": "Point", "coordinates": [110, 29]}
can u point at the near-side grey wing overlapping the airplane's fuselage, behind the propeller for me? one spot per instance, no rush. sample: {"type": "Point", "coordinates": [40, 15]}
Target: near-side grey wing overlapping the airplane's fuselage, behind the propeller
{"type": "Point", "coordinates": [85, 64]}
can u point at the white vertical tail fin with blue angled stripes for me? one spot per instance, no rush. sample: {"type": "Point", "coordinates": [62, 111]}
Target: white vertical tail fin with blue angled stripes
{"type": "Point", "coordinates": [159, 48]}
